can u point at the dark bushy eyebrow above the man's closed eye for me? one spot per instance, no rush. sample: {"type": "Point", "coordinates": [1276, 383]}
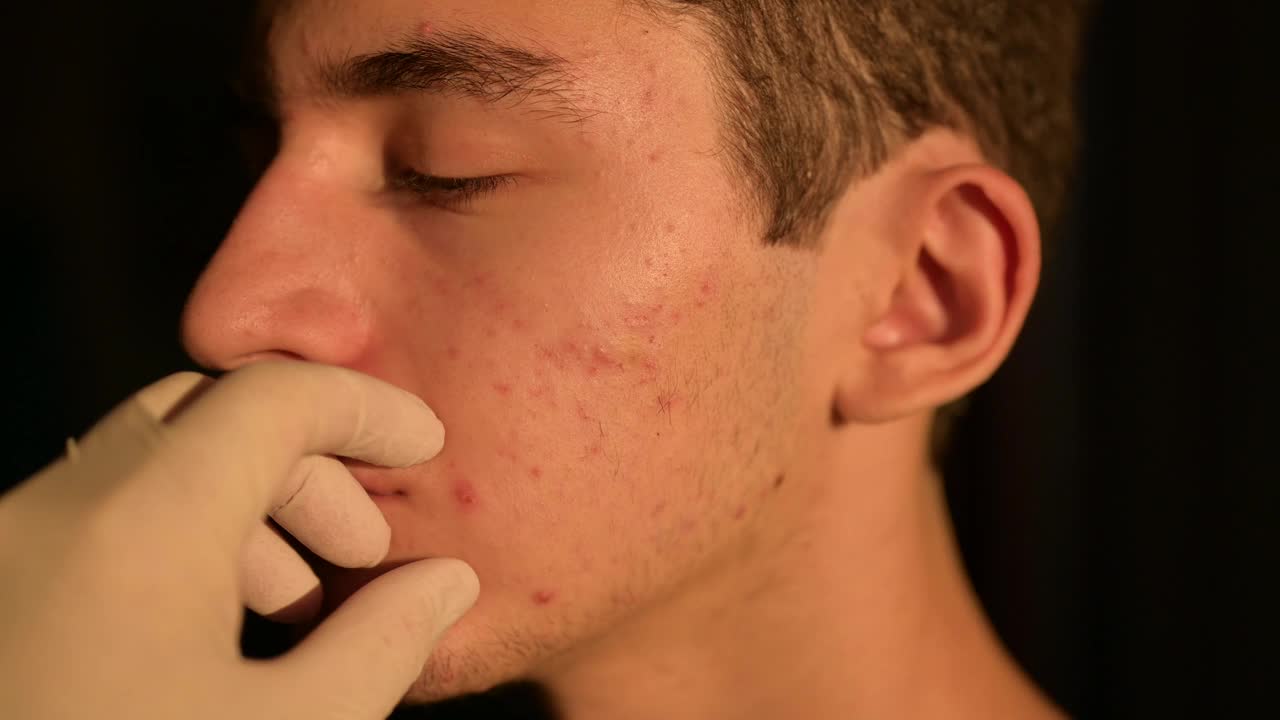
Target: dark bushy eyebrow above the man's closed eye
{"type": "Point", "coordinates": [456, 65]}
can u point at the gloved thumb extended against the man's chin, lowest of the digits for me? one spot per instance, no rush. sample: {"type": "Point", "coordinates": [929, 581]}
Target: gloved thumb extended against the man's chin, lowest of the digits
{"type": "Point", "coordinates": [362, 660]}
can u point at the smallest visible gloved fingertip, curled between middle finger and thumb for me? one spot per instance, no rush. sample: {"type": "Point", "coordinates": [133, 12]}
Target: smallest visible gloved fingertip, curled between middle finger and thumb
{"type": "Point", "coordinates": [276, 582]}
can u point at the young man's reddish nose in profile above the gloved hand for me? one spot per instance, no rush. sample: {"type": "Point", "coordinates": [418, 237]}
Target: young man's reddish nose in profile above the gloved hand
{"type": "Point", "coordinates": [287, 281]}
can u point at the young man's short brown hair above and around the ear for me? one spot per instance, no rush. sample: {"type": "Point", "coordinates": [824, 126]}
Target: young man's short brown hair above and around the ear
{"type": "Point", "coordinates": [822, 92]}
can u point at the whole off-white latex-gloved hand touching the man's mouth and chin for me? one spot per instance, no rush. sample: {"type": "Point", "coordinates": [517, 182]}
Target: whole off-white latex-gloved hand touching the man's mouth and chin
{"type": "Point", "coordinates": [126, 566]}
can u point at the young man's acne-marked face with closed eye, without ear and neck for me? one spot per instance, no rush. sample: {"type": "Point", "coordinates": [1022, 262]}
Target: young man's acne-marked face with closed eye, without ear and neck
{"type": "Point", "coordinates": [615, 354]}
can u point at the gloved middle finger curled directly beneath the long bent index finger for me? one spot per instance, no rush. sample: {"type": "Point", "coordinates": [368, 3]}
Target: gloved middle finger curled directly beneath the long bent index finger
{"type": "Point", "coordinates": [333, 516]}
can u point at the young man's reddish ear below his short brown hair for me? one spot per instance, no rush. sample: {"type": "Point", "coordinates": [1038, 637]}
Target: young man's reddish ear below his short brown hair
{"type": "Point", "coordinates": [967, 267]}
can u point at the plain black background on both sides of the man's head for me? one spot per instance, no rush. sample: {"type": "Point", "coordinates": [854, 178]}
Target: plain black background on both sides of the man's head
{"type": "Point", "coordinates": [1114, 487]}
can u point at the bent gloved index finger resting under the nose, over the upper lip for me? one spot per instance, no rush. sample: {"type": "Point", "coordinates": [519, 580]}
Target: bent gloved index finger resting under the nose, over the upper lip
{"type": "Point", "coordinates": [239, 444]}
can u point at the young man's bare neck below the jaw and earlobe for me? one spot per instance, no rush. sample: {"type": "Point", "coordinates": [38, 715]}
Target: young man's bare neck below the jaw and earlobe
{"type": "Point", "coordinates": [847, 601]}
